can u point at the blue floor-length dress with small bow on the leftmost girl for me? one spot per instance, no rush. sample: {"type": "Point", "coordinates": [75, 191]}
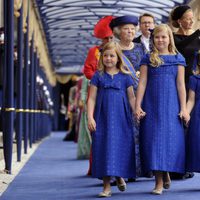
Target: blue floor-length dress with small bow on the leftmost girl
{"type": "Point", "coordinates": [113, 152]}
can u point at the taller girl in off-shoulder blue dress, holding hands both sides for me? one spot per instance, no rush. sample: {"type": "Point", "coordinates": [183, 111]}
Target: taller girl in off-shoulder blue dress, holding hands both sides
{"type": "Point", "coordinates": [160, 107]}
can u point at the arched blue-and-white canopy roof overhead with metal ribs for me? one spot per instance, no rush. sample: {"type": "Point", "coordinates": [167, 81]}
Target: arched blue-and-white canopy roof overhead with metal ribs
{"type": "Point", "coordinates": [69, 31]}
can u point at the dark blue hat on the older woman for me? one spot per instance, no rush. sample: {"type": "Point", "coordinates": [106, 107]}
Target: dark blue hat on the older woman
{"type": "Point", "coordinates": [127, 19]}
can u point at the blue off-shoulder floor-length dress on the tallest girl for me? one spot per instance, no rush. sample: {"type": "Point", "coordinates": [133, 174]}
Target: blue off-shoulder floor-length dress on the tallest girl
{"type": "Point", "coordinates": [162, 141]}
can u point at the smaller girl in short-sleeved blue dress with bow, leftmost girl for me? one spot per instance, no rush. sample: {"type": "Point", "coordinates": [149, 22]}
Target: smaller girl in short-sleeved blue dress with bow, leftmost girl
{"type": "Point", "coordinates": [110, 106]}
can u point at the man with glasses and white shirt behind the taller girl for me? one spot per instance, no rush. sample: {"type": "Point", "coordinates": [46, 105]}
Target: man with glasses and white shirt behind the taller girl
{"type": "Point", "coordinates": [146, 23]}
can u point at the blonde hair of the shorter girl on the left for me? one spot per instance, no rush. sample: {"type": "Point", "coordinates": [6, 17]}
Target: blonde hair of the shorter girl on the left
{"type": "Point", "coordinates": [120, 63]}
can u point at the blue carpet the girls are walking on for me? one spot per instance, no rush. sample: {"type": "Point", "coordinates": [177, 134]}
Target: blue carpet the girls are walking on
{"type": "Point", "coordinates": [53, 173]}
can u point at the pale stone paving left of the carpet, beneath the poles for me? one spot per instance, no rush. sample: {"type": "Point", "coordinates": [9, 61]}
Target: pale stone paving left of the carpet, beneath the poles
{"type": "Point", "coordinates": [6, 179]}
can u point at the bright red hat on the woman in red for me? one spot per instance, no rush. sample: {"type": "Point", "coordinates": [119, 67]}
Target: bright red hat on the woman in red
{"type": "Point", "coordinates": [102, 28]}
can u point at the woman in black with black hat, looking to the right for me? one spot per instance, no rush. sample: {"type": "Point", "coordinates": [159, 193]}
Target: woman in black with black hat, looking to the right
{"type": "Point", "coordinates": [186, 38]}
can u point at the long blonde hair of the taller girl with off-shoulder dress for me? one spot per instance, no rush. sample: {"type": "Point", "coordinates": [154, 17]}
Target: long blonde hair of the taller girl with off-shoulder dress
{"type": "Point", "coordinates": [154, 56]}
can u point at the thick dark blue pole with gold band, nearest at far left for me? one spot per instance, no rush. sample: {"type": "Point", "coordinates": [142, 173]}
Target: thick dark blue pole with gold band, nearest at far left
{"type": "Point", "coordinates": [8, 88]}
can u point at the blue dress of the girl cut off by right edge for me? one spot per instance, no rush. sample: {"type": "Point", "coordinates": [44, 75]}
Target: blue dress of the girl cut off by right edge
{"type": "Point", "coordinates": [193, 134]}
